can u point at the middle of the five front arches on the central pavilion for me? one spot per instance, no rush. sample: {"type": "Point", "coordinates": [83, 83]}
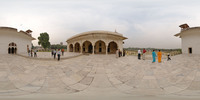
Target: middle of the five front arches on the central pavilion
{"type": "Point", "coordinates": [87, 47]}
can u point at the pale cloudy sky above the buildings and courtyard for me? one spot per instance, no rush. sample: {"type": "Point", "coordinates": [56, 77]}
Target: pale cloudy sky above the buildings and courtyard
{"type": "Point", "coordinates": [146, 23]}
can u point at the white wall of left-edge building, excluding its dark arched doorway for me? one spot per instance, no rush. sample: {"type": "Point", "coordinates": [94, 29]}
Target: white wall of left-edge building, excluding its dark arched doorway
{"type": "Point", "coordinates": [9, 36]}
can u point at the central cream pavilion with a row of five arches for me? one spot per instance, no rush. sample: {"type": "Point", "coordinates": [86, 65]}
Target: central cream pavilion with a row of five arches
{"type": "Point", "coordinates": [96, 42]}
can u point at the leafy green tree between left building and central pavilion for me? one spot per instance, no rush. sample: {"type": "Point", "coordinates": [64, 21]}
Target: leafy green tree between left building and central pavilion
{"type": "Point", "coordinates": [44, 40]}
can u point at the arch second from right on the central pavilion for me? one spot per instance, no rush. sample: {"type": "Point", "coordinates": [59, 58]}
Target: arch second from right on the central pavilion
{"type": "Point", "coordinates": [100, 47]}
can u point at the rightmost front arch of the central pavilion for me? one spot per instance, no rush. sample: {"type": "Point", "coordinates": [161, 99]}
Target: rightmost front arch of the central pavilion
{"type": "Point", "coordinates": [112, 47]}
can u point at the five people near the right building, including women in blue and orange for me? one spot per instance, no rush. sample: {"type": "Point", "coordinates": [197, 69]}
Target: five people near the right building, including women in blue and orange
{"type": "Point", "coordinates": [159, 55]}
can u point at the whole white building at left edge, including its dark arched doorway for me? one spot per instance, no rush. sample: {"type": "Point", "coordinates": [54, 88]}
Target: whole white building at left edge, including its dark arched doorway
{"type": "Point", "coordinates": [13, 42]}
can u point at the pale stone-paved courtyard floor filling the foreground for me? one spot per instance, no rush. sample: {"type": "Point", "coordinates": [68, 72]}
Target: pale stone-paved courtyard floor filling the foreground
{"type": "Point", "coordinates": [97, 77]}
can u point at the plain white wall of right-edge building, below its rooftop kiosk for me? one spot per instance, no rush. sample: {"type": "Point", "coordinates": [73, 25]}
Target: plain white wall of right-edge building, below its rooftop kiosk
{"type": "Point", "coordinates": [191, 38]}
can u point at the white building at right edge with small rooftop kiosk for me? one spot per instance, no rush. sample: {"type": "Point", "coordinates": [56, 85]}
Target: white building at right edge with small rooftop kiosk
{"type": "Point", "coordinates": [190, 39]}
